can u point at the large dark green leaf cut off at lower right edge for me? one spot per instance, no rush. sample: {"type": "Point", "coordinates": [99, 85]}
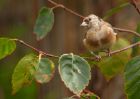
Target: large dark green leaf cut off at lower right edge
{"type": "Point", "coordinates": [132, 78]}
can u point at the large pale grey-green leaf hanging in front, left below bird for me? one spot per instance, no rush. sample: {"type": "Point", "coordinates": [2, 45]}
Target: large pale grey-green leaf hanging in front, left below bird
{"type": "Point", "coordinates": [75, 72]}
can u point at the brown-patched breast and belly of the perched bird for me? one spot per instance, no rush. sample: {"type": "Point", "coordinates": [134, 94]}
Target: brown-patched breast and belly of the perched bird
{"type": "Point", "coordinates": [100, 40]}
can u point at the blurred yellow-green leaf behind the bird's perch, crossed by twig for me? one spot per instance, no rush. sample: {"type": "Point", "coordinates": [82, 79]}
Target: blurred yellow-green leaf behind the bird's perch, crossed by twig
{"type": "Point", "coordinates": [114, 65]}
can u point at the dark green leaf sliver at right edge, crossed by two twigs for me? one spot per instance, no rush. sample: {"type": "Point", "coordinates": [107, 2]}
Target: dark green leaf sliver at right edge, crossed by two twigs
{"type": "Point", "coordinates": [136, 49]}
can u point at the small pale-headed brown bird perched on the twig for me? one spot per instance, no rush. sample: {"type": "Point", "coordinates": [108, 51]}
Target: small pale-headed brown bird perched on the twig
{"type": "Point", "coordinates": [99, 36]}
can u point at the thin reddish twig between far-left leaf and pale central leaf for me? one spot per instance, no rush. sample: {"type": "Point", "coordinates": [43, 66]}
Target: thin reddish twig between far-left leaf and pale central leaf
{"type": "Point", "coordinates": [35, 49]}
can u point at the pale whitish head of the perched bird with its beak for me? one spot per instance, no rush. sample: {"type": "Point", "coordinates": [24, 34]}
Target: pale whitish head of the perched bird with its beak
{"type": "Point", "coordinates": [92, 21]}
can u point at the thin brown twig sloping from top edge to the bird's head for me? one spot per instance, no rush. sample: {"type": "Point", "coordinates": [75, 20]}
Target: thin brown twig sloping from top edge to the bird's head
{"type": "Point", "coordinates": [69, 10]}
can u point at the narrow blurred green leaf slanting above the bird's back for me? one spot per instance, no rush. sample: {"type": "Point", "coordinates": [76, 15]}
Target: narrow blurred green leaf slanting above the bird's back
{"type": "Point", "coordinates": [115, 10]}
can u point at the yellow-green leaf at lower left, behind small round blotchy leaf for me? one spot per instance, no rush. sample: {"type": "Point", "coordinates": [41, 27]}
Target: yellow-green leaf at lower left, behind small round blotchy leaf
{"type": "Point", "coordinates": [24, 71]}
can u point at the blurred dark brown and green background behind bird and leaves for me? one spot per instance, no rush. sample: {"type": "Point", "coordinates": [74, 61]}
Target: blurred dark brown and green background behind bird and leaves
{"type": "Point", "coordinates": [17, 19]}
